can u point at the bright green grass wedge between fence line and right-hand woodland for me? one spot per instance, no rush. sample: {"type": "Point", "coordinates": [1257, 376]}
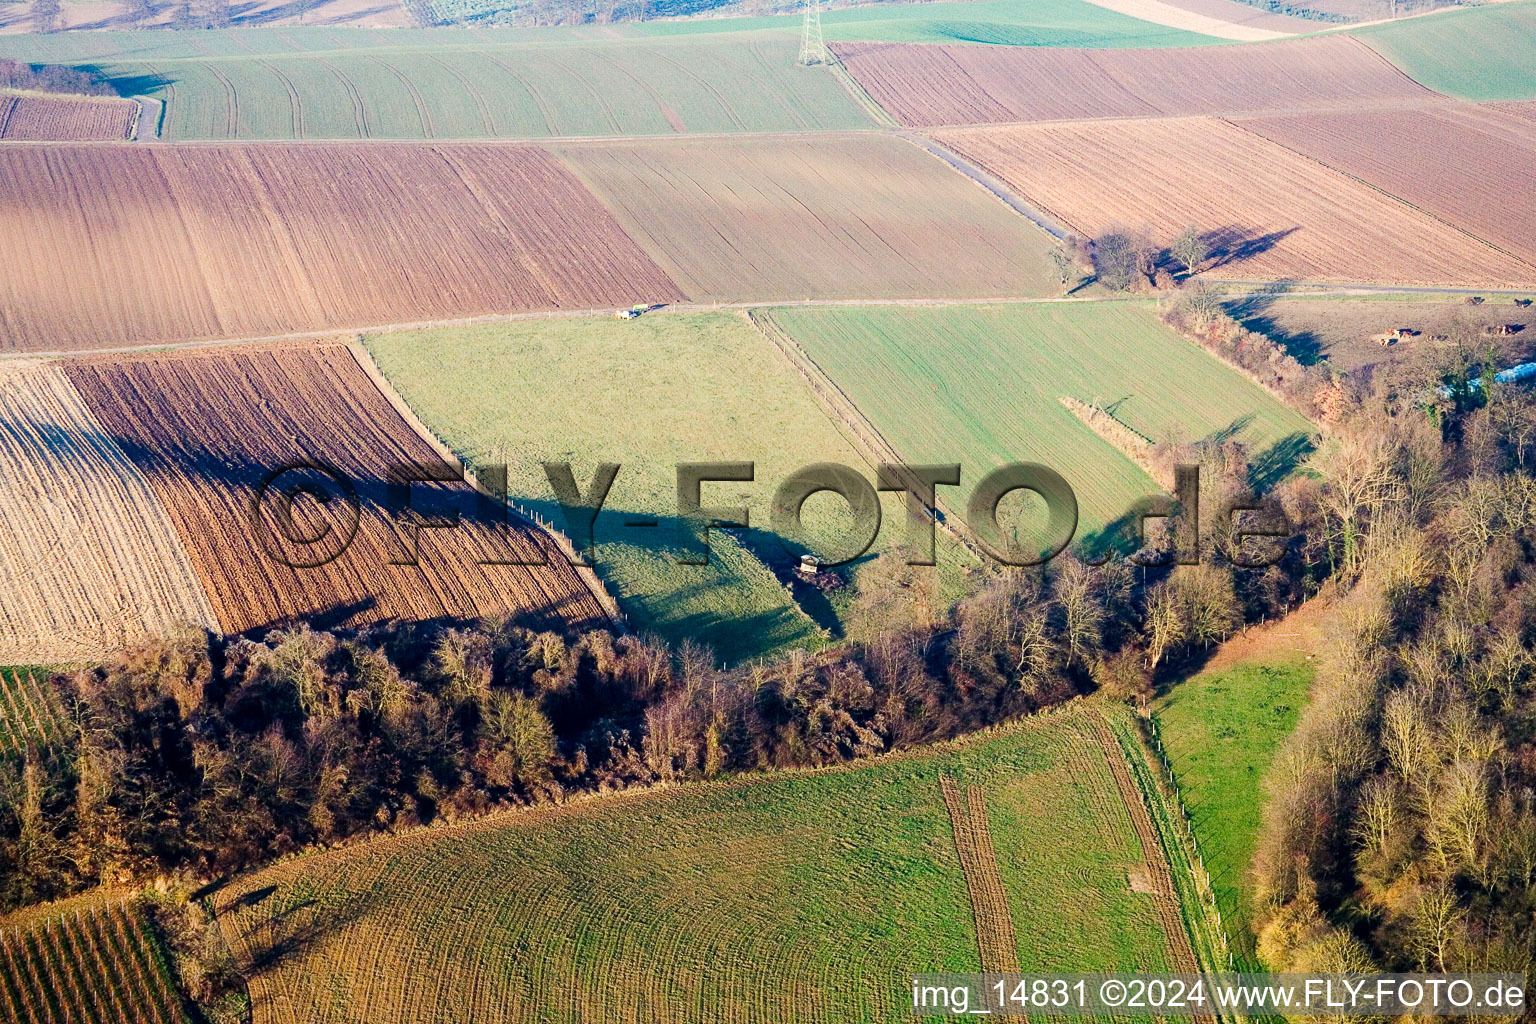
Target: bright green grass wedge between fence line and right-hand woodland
{"type": "Point", "coordinates": [1222, 732]}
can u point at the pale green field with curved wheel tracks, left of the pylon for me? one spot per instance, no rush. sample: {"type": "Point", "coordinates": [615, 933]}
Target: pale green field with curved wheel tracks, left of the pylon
{"type": "Point", "coordinates": [480, 91]}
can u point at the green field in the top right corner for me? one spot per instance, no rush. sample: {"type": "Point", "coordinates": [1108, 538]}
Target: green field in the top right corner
{"type": "Point", "coordinates": [1478, 55]}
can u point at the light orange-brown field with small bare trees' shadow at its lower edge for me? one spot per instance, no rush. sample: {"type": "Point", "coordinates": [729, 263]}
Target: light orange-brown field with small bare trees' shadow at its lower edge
{"type": "Point", "coordinates": [1266, 213]}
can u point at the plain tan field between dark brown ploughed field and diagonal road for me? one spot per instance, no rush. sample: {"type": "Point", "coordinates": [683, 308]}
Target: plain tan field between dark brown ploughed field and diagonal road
{"type": "Point", "coordinates": [793, 219]}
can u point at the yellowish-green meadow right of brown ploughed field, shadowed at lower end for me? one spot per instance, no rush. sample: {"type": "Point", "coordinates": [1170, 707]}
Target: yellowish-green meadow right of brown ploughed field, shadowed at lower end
{"type": "Point", "coordinates": [647, 394]}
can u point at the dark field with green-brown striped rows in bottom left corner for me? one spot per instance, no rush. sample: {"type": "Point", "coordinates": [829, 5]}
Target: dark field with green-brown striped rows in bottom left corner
{"type": "Point", "coordinates": [94, 965]}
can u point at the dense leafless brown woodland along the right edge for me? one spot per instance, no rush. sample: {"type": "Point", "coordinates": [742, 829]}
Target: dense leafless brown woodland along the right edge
{"type": "Point", "coordinates": [1400, 831]}
